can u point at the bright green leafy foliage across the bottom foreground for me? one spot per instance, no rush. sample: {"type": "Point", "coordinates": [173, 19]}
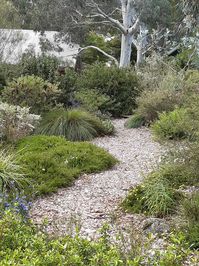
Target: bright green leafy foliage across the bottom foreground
{"type": "Point", "coordinates": [23, 244]}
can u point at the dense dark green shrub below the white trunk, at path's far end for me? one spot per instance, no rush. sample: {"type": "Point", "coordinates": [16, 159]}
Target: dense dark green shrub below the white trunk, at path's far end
{"type": "Point", "coordinates": [121, 85]}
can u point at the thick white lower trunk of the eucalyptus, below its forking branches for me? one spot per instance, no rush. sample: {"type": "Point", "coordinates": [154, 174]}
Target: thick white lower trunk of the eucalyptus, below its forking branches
{"type": "Point", "coordinates": [126, 49]}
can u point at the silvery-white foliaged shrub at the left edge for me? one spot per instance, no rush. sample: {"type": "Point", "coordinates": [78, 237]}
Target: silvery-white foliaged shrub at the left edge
{"type": "Point", "coordinates": [16, 122]}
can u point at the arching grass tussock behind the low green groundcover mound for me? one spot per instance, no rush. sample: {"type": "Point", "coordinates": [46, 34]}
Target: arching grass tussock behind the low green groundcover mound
{"type": "Point", "coordinates": [74, 125]}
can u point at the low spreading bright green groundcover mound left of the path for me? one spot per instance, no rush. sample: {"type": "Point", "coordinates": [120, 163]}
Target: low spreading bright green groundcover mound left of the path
{"type": "Point", "coordinates": [52, 162]}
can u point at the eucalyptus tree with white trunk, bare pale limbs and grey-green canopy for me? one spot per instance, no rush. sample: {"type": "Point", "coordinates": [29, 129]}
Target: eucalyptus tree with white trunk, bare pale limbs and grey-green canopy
{"type": "Point", "coordinates": [134, 20]}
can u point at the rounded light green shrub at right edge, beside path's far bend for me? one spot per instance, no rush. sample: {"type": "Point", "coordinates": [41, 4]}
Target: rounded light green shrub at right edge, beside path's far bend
{"type": "Point", "coordinates": [174, 125]}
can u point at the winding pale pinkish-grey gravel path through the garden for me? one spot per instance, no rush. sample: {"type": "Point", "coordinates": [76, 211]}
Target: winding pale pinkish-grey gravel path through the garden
{"type": "Point", "coordinates": [94, 198]}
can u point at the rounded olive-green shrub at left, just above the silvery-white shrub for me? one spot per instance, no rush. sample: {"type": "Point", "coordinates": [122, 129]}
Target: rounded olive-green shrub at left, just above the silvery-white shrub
{"type": "Point", "coordinates": [31, 91]}
